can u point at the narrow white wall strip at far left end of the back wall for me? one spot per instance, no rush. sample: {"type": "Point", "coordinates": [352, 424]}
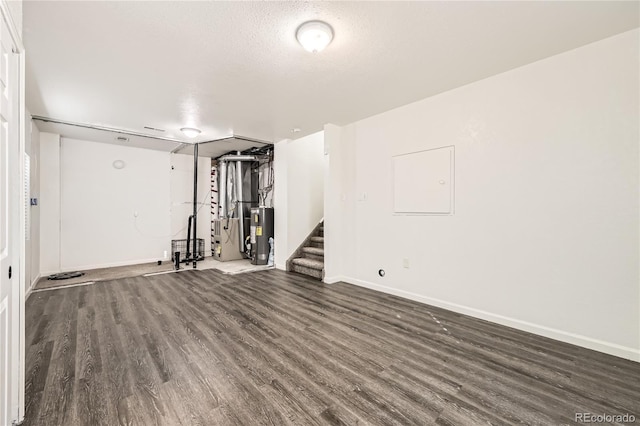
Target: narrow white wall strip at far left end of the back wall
{"type": "Point", "coordinates": [49, 203]}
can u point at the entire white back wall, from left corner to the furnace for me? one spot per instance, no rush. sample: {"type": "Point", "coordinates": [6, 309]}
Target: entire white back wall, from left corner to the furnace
{"type": "Point", "coordinates": [94, 216]}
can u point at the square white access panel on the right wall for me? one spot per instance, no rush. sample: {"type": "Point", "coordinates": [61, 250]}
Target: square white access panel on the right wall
{"type": "Point", "coordinates": [423, 182]}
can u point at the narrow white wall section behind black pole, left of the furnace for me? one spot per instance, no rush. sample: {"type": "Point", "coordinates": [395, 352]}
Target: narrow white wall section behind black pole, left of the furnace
{"type": "Point", "coordinates": [182, 198]}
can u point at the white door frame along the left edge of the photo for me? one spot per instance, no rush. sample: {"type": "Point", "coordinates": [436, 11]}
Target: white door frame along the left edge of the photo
{"type": "Point", "coordinates": [17, 355]}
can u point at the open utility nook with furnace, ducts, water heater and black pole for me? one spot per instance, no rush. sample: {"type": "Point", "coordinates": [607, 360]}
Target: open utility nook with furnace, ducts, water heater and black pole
{"type": "Point", "coordinates": [242, 214]}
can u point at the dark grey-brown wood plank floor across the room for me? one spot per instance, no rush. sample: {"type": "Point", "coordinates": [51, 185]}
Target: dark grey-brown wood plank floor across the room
{"type": "Point", "coordinates": [202, 348]}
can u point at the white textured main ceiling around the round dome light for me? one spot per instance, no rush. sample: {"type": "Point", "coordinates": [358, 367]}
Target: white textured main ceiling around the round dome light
{"type": "Point", "coordinates": [236, 68]}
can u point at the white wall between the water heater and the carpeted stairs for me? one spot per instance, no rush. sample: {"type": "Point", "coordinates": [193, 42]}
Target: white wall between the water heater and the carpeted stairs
{"type": "Point", "coordinates": [299, 192]}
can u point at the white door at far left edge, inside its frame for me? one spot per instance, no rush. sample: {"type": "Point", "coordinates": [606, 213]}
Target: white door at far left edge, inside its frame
{"type": "Point", "coordinates": [9, 228]}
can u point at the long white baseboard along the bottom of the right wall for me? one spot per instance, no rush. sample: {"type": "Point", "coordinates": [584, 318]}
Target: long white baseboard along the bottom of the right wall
{"type": "Point", "coordinates": [552, 333]}
